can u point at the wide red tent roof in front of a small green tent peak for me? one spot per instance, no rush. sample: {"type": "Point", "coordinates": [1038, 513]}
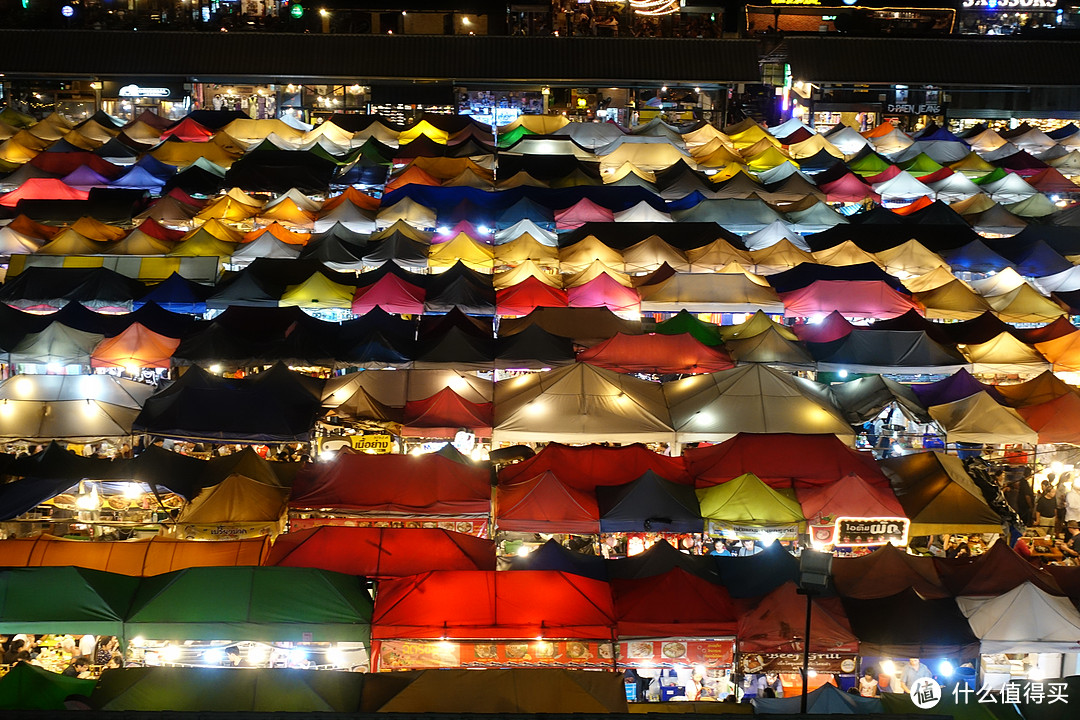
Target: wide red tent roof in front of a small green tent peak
{"type": "Point", "coordinates": [657, 354]}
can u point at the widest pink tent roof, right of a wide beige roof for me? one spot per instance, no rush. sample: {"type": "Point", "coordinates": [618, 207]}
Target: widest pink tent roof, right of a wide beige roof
{"type": "Point", "coordinates": [854, 298]}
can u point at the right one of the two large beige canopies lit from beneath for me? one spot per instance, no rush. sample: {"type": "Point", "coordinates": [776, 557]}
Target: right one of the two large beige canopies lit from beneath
{"type": "Point", "coordinates": [753, 399]}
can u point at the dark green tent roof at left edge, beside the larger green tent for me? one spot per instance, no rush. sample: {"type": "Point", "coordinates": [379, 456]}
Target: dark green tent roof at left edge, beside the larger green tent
{"type": "Point", "coordinates": [64, 601]}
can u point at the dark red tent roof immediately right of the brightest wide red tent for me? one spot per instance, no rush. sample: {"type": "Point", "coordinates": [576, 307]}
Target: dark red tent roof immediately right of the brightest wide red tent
{"type": "Point", "coordinates": [673, 605]}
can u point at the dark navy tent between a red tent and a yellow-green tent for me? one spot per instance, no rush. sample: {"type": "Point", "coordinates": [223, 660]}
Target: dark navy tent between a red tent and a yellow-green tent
{"type": "Point", "coordinates": [649, 505]}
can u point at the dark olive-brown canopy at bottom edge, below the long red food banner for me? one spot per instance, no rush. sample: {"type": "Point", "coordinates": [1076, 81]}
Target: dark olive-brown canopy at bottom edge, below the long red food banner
{"type": "Point", "coordinates": [516, 691]}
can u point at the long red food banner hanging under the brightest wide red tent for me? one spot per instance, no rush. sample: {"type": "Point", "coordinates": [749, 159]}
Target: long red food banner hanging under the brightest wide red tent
{"type": "Point", "coordinates": [425, 655]}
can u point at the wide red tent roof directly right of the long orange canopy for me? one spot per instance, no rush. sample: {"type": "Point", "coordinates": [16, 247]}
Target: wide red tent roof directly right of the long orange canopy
{"type": "Point", "coordinates": [382, 552]}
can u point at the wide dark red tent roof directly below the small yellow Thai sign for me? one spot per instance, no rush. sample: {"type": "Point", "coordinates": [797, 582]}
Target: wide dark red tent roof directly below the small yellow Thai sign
{"type": "Point", "coordinates": [418, 486]}
